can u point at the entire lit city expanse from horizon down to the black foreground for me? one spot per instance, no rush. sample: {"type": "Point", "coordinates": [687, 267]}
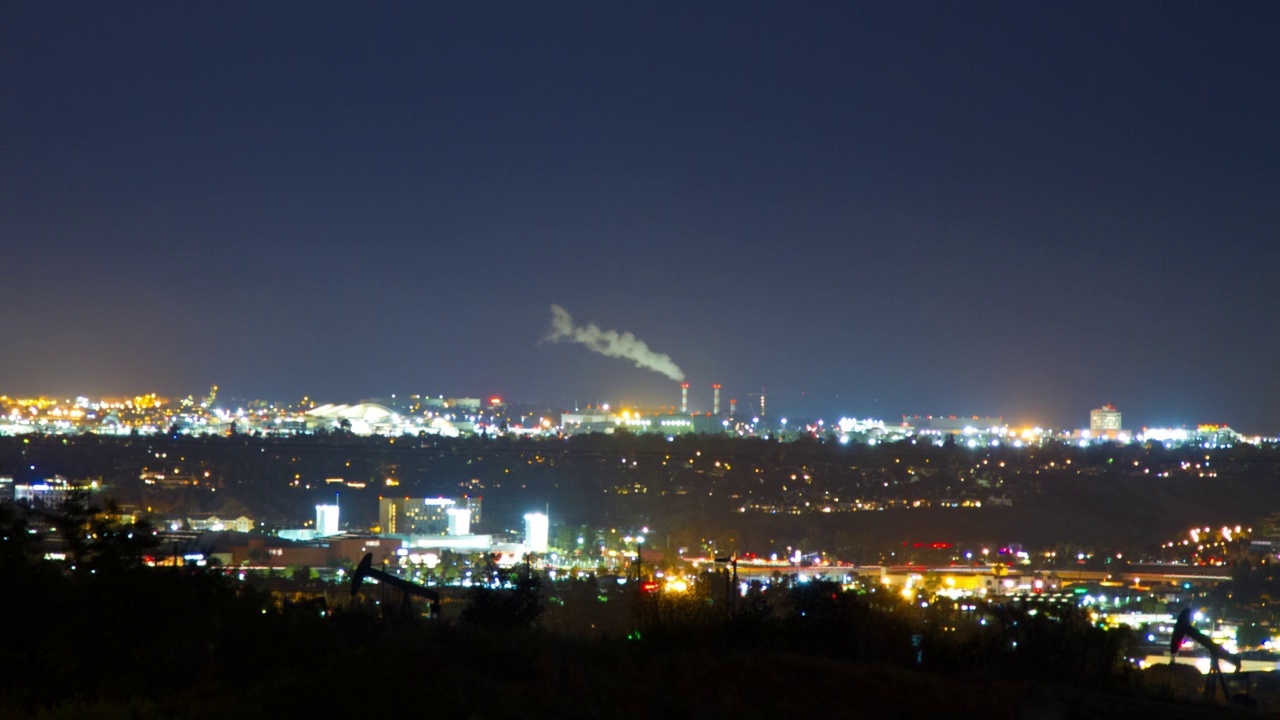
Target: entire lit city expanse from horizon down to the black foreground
{"type": "Point", "coordinates": [962, 521]}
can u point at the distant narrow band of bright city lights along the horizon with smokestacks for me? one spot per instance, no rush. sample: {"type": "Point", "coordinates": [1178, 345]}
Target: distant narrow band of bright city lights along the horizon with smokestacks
{"type": "Point", "coordinates": [463, 417]}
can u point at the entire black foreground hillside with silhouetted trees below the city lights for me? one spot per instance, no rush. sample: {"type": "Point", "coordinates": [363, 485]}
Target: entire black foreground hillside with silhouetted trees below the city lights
{"type": "Point", "coordinates": [147, 644]}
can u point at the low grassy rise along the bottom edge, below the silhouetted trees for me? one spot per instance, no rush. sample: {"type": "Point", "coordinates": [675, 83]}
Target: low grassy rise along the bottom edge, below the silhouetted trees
{"type": "Point", "coordinates": [588, 681]}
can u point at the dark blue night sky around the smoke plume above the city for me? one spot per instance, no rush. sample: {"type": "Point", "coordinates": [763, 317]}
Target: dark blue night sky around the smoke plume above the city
{"type": "Point", "coordinates": [948, 208]}
